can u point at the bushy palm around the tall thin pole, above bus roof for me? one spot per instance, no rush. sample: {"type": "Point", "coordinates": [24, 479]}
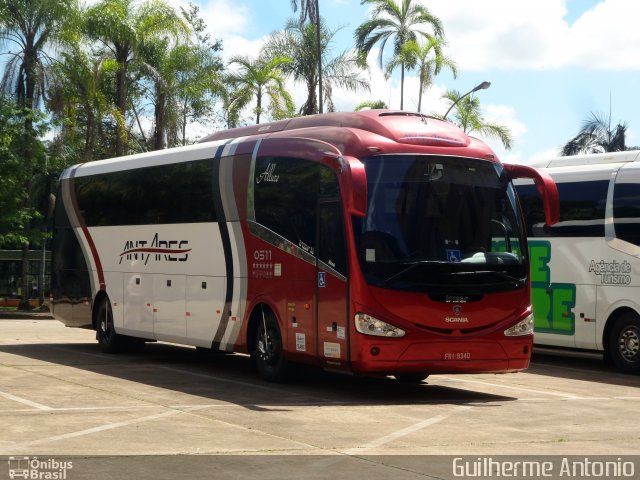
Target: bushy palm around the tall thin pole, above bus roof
{"type": "Point", "coordinates": [296, 41]}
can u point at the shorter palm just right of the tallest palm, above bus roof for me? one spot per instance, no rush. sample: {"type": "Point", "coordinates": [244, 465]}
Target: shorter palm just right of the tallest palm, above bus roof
{"type": "Point", "coordinates": [428, 58]}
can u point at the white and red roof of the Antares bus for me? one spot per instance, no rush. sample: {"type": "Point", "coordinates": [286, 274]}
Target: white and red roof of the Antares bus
{"type": "Point", "coordinates": [353, 133]}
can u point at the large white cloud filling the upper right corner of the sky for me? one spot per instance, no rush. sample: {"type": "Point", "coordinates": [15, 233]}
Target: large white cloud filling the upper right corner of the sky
{"type": "Point", "coordinates": [504, 34]}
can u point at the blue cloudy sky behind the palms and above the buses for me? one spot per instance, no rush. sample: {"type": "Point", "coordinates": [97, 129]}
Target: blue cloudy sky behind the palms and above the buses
{"type": "Point", "coordinates": [550, 62]}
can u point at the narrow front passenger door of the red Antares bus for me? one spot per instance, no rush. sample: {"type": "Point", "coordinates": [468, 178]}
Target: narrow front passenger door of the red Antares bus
{"type": "Point", "coordinates": [332, 286]}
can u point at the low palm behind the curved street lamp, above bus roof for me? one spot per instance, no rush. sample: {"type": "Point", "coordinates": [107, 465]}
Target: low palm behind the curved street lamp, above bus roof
{"type": "Point", "coordinates": [468, 117]}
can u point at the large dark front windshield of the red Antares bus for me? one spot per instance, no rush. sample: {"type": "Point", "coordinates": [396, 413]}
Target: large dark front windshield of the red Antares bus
{"type": "Point", "coordinates": [437, 223]}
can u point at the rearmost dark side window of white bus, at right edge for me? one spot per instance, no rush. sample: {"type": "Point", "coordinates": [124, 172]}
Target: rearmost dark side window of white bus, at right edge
{"type": "Point", "coordinates": [626, 205]}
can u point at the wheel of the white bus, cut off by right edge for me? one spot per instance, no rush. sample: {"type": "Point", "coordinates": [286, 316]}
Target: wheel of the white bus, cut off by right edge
{"type": "Point", "coordinates": [624, 343]}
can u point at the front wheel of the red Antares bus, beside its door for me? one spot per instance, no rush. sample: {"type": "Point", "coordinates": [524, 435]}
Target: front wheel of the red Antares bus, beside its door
{"type": "Point", "coordinates": [269, 350]}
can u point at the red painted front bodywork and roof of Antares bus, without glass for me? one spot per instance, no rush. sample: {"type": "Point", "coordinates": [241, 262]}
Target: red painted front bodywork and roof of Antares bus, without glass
{"type": "Point", "coordinates": [431, 345]}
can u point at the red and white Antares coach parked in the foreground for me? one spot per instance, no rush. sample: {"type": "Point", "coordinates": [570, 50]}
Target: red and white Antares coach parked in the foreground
{"type": "Point", "coordinates": [376, 242]}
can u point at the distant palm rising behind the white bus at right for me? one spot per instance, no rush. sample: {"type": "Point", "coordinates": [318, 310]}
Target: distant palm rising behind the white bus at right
{"type": "Point", "coordinates": [597, 136]}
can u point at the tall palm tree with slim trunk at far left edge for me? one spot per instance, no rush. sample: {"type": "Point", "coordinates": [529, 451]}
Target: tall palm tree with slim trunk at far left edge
{"type": "Point", "coordinates": [29, 27]}
